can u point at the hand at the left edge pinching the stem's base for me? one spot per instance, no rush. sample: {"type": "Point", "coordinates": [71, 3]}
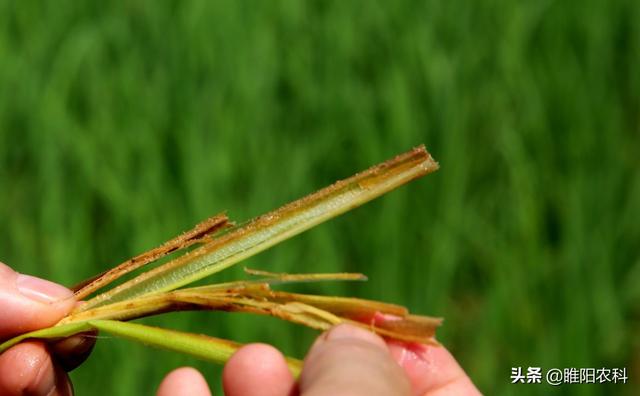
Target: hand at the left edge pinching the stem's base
{"type": "Point", "coordinates": [30, 303]}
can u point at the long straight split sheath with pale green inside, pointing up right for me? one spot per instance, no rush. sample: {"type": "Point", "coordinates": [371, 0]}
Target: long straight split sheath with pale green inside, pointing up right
{"type": "Point", "coordinates": [272, 228]}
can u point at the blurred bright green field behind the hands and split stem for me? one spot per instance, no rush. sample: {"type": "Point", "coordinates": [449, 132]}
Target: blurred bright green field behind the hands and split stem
{"type": "Point", "coordinates": [124, 123]}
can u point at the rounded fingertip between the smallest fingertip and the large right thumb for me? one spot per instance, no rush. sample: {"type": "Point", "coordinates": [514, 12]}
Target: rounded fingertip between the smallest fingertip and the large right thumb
{"type": "Point", "coordinates": [257, 369]}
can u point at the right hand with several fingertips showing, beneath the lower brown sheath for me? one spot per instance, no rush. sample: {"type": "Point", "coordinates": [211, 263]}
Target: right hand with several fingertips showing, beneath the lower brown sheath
{"type": "Point", "coordinates": [346, 360]}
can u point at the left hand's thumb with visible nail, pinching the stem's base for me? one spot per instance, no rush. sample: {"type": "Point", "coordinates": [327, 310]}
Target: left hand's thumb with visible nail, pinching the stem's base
{"type": "Point", "coordinates": [29, 303]}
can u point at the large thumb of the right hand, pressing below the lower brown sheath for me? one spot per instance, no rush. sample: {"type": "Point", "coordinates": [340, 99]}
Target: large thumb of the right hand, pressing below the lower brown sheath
{"type": "Point", "coordinates": [348, 360]}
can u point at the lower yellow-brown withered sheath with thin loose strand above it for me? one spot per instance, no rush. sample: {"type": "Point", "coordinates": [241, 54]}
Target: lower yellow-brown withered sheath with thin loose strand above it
{"type": "Point", "coordinates": [318, 312]}
